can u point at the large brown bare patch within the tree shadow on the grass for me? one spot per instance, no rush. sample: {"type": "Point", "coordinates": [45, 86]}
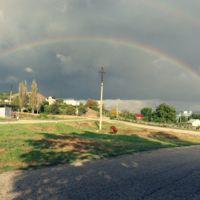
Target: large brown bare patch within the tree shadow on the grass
{"type": "Point", "coordinates": [67, 142]}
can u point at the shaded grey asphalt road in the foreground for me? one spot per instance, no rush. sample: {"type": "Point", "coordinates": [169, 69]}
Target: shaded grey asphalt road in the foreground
{"type": "Point", "coordinates": [169, 174]}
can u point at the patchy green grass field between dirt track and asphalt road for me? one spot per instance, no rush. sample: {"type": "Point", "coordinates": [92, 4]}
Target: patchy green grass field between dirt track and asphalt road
{"type": "Point", "coordinates": [24, 146]}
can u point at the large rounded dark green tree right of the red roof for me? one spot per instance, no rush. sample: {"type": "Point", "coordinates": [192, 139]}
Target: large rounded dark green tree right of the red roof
{"type": "Point", "coordinates": [164, 113]}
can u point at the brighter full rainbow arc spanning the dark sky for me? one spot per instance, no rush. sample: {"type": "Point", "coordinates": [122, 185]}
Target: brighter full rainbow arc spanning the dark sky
{"type": "Point", "coordinates": [175, 62]}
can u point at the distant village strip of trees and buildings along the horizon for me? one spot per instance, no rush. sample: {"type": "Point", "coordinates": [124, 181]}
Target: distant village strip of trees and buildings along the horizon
{"type": "Point", "coordinates": [36, 103]}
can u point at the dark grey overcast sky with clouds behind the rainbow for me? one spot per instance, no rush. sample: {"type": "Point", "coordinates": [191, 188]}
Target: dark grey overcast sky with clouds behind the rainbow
{"type": "Point", "coordinates": [69, 69]}
